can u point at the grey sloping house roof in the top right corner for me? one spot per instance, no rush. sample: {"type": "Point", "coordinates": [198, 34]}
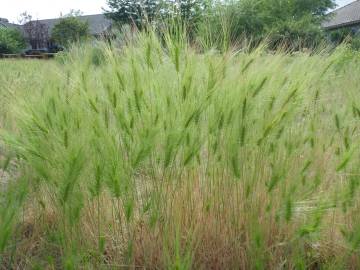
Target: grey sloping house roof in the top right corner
{"type": "Point", "coordinates": [346, 16]}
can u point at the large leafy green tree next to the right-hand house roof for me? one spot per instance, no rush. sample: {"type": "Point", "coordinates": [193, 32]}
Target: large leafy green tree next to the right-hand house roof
{"type": "Point", "coordinates": [281, 22]}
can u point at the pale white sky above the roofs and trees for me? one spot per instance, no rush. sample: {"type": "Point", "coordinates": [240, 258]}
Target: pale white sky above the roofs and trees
{"type": "Point", "coordinates": [46, 9]}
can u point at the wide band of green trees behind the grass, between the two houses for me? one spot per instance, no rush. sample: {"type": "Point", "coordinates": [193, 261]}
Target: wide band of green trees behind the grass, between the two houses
{"type": "Point", "coordinates": [292, 24]}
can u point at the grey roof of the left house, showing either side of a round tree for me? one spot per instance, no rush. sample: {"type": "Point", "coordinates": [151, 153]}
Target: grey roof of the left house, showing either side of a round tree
{"type": "Point", "coordinates": [98, 23]}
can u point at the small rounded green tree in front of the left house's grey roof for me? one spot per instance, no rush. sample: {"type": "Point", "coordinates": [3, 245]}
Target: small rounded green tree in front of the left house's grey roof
{"type": "Point", "coordinates": [70, 29]}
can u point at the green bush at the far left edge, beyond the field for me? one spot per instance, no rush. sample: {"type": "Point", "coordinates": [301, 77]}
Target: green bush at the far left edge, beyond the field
{"type": "Point", "coordinates": [11, 40]}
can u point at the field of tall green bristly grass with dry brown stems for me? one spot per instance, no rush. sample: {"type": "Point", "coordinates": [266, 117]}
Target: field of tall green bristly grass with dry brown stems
{"type": "Point", "coordinates": [161, 157]}
